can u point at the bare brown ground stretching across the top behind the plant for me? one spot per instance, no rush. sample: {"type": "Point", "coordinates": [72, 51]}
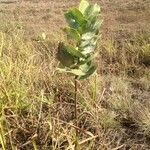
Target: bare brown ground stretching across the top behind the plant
{"type": "Point", "coordinates": [127, 16]}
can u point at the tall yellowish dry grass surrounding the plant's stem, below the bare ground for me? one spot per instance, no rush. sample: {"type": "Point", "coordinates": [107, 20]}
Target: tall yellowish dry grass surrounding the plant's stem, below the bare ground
{"type": "Point", "coordinates": [36, 103]}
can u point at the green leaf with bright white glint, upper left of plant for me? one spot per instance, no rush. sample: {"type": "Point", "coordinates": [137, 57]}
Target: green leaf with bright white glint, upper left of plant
{"type": "Point", "coordinates": [75, 18]}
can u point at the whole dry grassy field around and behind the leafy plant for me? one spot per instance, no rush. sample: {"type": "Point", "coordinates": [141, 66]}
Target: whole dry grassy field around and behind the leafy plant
{"type": "Point", "coordinates": [37, 102]}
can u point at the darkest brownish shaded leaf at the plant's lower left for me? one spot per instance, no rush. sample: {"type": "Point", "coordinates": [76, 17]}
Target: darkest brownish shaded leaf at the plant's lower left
{"type": "Point", "coordinates": [65, 58]}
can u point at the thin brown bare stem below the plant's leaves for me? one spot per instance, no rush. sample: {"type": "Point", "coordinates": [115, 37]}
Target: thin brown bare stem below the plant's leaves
{"type": "Point", "coordinates": [76, 113]}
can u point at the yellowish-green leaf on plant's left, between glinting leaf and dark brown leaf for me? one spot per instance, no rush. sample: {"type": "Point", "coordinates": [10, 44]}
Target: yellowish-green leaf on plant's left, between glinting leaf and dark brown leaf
{"type": "Point", "coordinates": [72, 33]}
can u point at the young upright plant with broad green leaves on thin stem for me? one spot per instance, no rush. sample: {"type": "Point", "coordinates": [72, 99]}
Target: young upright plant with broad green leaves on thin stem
{"type": "Point", "coordinates": [76, 55]}
